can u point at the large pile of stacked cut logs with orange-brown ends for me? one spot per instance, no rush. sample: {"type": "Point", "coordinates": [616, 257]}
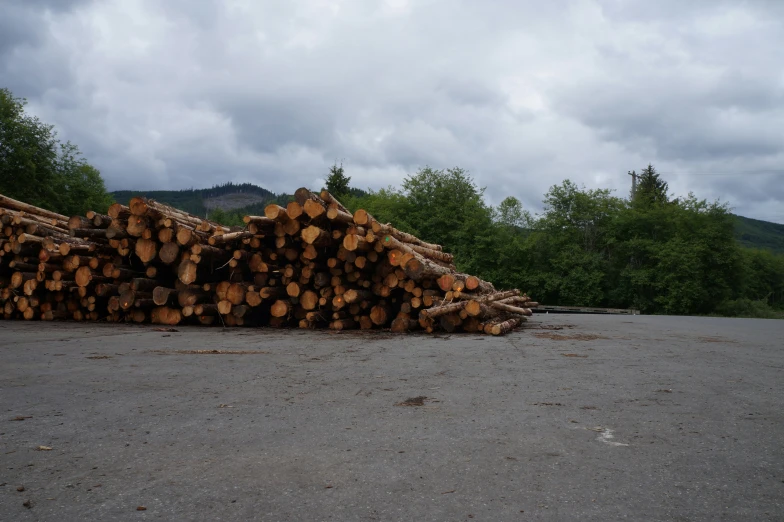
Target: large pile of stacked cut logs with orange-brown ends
{"type": "Point", "coordinates": [311, 264]}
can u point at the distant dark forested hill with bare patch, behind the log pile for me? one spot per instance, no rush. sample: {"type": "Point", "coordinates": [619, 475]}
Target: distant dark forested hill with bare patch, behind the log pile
{"type": "Point", "coordinates": [227, 197]}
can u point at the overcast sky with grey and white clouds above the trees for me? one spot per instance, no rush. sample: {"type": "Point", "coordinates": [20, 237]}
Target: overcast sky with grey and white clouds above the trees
{"type": "Point", "coordinates": [522, 94]}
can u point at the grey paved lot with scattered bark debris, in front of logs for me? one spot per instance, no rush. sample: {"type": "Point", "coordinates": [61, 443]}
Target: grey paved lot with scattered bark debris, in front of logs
{"type": "Point", "coordinates": [573, 417]}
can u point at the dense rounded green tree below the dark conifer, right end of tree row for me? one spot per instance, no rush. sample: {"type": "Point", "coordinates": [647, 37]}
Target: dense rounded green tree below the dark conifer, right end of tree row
{"type": "Point", "coordinates": [675, 258]}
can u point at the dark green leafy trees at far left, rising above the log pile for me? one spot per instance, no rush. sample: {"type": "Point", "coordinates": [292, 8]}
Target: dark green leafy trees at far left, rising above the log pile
{"type": "Point", "coordinates": [37, 169]}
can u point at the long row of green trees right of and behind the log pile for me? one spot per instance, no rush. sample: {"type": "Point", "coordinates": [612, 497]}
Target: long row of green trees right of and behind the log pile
{"type": "Point", "coordinates": [652, 252]}
